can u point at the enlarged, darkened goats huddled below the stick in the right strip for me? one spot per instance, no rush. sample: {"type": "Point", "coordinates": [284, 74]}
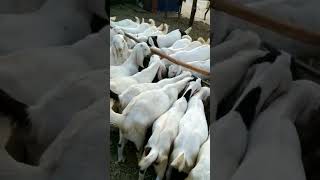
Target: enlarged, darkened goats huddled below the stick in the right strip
{"type": "Point", "coordinates": [266, 117]}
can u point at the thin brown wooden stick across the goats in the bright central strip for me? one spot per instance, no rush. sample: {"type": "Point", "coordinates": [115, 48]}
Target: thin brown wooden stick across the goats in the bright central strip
{"type": "Point", "coordinates": [173, 60]}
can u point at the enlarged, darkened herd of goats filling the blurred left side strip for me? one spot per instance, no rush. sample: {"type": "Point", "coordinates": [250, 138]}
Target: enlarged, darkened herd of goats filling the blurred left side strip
{"type": "Point", "coordinates": [53, 80]}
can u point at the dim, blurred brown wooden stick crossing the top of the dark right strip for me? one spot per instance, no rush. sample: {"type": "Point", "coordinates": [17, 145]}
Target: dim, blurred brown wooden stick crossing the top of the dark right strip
{"type": "Point", "coordinates": [254, 17]}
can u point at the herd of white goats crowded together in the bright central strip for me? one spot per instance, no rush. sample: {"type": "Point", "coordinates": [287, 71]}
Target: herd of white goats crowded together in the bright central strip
{"type": "Point", "coordinates": [162, 96]}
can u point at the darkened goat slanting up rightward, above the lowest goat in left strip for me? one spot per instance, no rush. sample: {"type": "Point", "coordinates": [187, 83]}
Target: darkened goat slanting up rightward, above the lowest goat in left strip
{"type": "Point", "coordinates": [53, 111]}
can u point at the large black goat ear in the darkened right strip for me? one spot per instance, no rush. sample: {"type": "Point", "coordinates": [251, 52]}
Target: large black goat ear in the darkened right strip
{"type": "Point", "coordinates": [247, 106]}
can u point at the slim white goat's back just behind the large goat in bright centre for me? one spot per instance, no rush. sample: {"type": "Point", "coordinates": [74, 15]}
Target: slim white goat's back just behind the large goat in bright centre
{"type": "Point", "coordinates": [134, 90]}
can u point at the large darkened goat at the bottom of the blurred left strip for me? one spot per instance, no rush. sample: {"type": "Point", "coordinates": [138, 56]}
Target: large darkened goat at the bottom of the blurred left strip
{"type": "Point", "coordinates": [82, 139]}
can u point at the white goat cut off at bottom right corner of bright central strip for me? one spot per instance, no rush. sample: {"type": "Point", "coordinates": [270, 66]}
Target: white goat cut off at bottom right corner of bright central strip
{"type": "Point", "coordinates": [202, 169]}
